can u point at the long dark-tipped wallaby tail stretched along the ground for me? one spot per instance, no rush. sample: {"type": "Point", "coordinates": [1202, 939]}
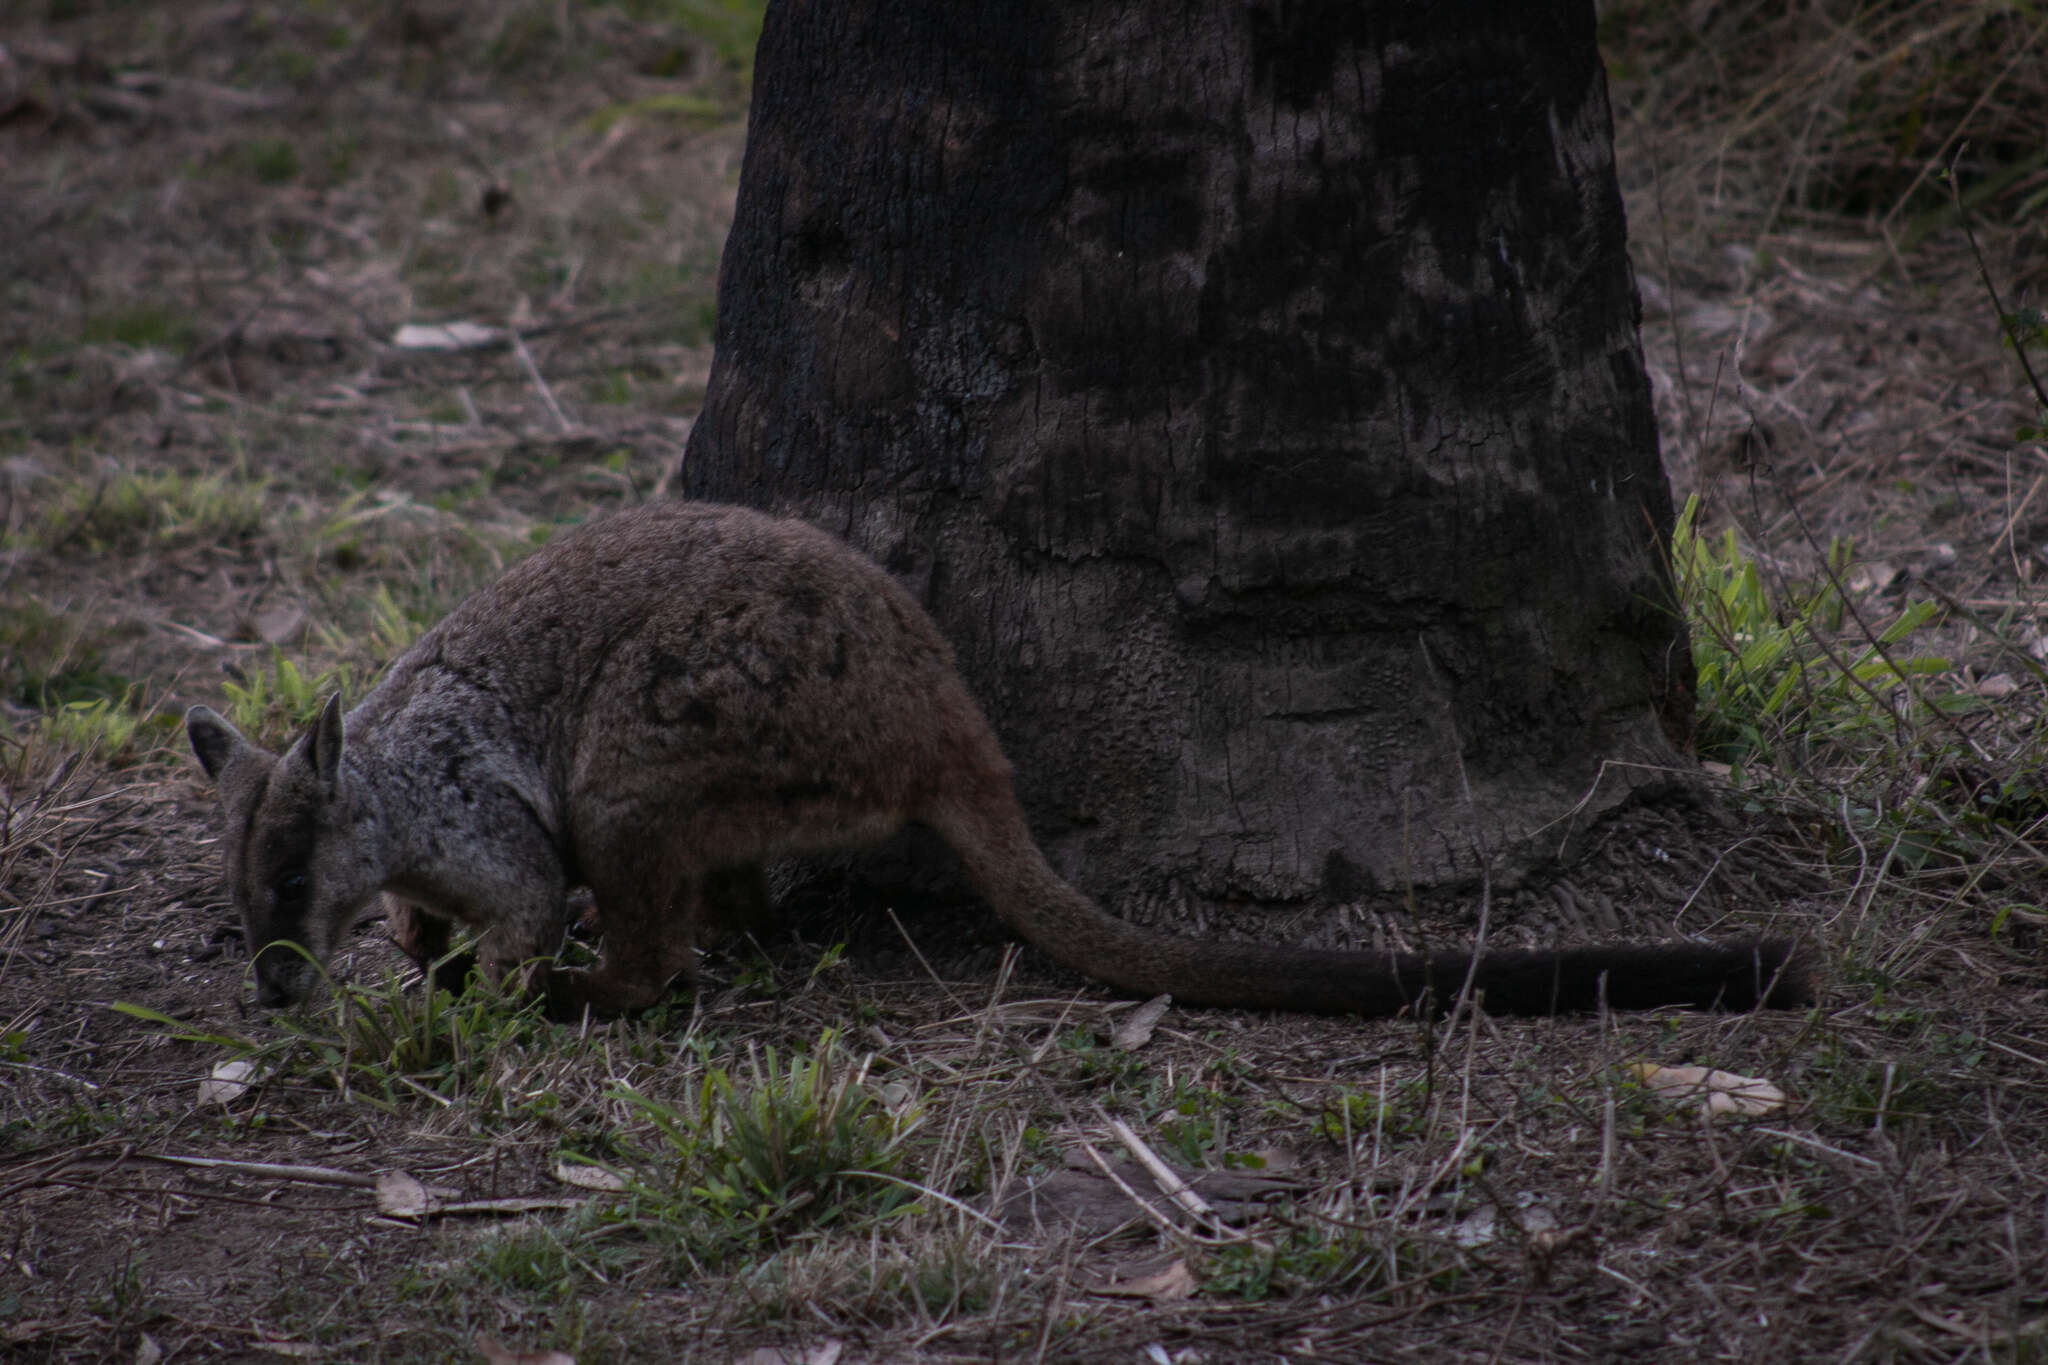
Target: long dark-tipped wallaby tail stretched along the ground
{"type": "Point", "coordinates": [1013, 873]}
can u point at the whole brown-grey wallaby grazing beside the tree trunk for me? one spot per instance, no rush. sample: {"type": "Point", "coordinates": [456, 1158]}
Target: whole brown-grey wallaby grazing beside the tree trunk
{"type": "Point", "coordinates": [683, 693]}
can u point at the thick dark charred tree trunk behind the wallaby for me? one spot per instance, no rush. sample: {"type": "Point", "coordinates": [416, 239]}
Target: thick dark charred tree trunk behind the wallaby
{"type": "Point", "coordinates": [1254, 398]}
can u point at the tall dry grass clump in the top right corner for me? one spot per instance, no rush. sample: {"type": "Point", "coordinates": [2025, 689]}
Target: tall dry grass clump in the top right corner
{"type": "Point", "coordinates": [1748, 120]}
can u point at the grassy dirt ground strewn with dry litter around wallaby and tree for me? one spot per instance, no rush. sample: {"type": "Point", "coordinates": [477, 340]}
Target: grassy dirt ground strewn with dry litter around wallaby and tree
{"type": "Point", "coordinates": [226, 478]}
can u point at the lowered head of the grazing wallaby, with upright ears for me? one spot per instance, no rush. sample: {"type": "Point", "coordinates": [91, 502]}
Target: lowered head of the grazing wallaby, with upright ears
{"type": "Point", "coordinates": [298, 844]}
